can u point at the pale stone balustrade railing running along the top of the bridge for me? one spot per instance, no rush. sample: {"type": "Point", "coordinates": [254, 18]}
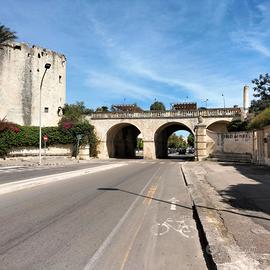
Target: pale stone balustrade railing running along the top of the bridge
{"type": "Point", "coordinates": [219, 112]}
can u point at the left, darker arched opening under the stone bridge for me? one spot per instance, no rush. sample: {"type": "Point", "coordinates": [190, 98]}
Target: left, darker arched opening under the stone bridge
{"type": "Point", "coordinates": [123, 141]}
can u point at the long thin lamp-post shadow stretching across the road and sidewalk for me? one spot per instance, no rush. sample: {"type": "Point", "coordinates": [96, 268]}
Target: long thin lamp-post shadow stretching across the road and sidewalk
{"type": "Point", "coordinates": [184, 206]}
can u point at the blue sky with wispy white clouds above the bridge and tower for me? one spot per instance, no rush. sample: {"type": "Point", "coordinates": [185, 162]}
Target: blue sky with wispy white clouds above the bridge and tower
{"type": "Point", "coordinates": [139, 51]}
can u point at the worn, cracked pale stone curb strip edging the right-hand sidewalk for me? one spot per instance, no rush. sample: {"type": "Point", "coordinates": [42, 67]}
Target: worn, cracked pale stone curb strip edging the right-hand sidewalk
{"type": "Point", "coordinates": [221, 245]}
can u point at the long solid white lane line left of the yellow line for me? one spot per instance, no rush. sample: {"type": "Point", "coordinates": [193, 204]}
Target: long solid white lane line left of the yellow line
{"type": "Point", "coordinates": [98, 254]}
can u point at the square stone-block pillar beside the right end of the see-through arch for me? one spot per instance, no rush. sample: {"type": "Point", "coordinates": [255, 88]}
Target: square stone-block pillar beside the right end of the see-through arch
{"type": "Point", "coordinates": [200, 142]}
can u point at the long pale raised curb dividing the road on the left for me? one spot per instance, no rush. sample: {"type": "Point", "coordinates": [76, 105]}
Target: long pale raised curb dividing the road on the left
{"type": "Point", "coordinates": [37, 181]}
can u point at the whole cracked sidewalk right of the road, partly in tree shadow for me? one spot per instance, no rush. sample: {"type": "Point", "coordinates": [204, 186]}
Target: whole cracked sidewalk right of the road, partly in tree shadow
{"type": "Point", "coordinates": [233, 203]}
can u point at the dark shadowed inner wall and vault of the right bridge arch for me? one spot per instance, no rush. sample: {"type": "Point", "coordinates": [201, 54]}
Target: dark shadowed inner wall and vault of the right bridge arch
{"type": "Point", "coordinates": [162, 135]}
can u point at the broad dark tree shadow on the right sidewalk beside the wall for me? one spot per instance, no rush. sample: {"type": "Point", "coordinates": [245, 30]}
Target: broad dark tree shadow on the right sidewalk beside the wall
{"type": "Point", "coordinates": [253, 196]}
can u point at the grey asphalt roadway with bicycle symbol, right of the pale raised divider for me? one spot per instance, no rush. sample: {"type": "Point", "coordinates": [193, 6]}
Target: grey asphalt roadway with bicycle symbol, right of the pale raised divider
{"type": "Point", "coordinates": [121, 218]}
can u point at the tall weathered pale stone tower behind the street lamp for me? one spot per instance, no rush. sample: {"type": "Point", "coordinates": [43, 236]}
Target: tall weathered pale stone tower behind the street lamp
{"type": "Point", "coordinates": [21, 70]}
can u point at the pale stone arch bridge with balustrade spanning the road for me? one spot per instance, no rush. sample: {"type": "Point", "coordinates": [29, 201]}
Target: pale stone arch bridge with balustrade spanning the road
{"type": "Point", "coordinates": [117, 132]}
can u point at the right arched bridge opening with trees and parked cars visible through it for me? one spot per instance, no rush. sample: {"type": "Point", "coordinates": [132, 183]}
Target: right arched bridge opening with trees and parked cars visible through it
{"type": "Point", "coordinates": [171, 141]}
